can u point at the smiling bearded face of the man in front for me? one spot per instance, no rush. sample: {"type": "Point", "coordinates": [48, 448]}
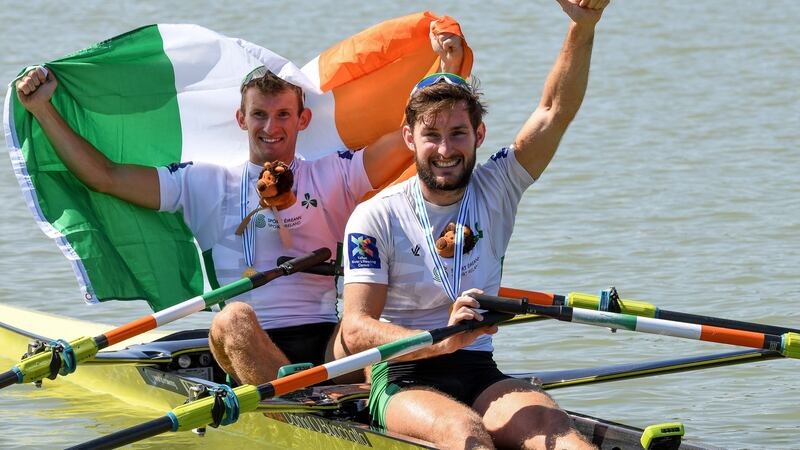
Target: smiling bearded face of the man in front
{"type": "Point", "coordinates": [445, 153]}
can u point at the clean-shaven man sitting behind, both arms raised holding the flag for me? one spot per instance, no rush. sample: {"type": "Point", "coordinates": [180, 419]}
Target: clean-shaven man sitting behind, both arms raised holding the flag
{"type": "Point", "coordinates": [298, 313]}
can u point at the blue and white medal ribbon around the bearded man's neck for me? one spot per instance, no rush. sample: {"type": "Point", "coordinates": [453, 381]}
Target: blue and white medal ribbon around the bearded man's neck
{"type": "Point", "coordinates": [452, 290]}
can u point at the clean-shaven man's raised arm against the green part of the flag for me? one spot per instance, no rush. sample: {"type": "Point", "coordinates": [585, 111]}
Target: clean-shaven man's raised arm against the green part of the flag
{"type": "Point", "coordinates": [136, 184]}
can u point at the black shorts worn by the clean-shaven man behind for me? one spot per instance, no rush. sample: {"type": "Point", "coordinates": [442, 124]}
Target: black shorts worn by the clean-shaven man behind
{"type": "Point", "coordinates": [303, 343]}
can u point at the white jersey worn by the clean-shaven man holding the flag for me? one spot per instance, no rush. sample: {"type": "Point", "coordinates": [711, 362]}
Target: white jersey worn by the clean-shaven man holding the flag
{"type": "Point", "coordinates": [209, 197]}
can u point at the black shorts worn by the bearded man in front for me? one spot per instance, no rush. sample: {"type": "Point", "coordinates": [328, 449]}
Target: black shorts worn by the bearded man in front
{"type": "Point", "coordinates": [463, 375]}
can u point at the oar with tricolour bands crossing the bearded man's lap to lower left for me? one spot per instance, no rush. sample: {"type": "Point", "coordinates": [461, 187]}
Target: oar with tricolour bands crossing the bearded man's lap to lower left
{"type": "Point", "coordinates": [245, 398]}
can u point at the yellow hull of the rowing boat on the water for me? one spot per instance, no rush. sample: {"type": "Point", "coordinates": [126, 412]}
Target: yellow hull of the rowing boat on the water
{"type": "Point", "coordinates": [124, 381]}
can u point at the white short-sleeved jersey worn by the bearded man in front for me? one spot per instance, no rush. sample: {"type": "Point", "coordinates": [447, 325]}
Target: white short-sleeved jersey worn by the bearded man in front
{"type": "Point", "coordinates": [385, 244]}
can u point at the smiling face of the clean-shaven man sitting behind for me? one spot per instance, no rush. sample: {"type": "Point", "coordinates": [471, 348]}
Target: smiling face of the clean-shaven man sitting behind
{"type": "Point", "coordinates": [272, 123]}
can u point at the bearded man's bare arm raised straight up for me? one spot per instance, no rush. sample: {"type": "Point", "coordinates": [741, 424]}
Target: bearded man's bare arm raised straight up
{"type": "Point", "coordinates": [537, 141]}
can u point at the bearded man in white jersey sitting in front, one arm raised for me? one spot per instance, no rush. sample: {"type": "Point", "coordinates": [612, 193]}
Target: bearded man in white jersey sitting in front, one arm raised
{"type": "Point", "coordinates": [400, 280]}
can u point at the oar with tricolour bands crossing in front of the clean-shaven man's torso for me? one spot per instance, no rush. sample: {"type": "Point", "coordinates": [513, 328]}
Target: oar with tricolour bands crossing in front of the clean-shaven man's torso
{"type": "Point", "coordinates": [61, 357]}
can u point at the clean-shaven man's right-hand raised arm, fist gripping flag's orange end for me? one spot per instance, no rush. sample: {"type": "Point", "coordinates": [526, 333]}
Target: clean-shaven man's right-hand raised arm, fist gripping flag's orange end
{"type": "Point", "coordinates": [389, 154]}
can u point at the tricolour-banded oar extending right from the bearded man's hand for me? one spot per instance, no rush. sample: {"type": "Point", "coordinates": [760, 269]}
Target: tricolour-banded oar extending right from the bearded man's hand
{"type": "Point", "coordinates": [788, 344]}
